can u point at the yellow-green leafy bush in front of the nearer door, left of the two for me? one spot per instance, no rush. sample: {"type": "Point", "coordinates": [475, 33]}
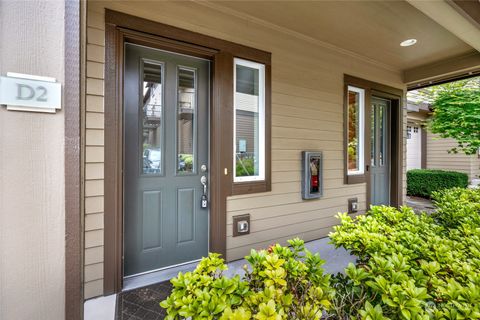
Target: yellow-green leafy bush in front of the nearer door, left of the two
{"type": "Point", "coordinates": [283, 283]}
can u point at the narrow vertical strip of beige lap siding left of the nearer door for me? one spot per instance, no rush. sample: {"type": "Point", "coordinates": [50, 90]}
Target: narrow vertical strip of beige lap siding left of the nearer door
{"type": "Point", "coordinates": [94, 162]}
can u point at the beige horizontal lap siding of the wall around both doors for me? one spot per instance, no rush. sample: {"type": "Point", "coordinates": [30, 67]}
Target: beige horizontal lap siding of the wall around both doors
{"type": "Point", "coordinates": [307, 114]}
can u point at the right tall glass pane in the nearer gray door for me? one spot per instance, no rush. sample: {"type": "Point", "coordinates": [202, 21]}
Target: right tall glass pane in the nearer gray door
{"type": "Point", "coordinates": [186, 109]}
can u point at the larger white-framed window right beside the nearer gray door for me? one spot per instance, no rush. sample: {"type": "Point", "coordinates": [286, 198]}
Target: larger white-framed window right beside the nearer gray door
{"type": "Point", "coordinates": [249, 121]}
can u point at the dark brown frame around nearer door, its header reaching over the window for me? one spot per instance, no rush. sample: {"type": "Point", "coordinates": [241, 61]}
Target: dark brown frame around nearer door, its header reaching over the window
{"type": "Point", "coordinates": [121, 28]}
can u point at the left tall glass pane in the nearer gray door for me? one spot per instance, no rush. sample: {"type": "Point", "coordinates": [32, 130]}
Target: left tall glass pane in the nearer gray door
{"type": "Point", "coordinates": [152, 134]}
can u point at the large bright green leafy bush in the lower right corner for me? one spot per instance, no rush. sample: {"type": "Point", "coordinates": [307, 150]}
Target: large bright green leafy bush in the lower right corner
{"type": "Point", "coordinates": [410, 266]}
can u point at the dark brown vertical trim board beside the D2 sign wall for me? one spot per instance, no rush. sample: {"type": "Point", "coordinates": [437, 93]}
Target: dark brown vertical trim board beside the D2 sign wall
{"type": "Point", "coordinates": [73, 216]}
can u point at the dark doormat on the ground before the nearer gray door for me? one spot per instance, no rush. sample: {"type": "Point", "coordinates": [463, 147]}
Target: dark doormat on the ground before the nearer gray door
{"type": "Point", "coordinates": [143, 303]}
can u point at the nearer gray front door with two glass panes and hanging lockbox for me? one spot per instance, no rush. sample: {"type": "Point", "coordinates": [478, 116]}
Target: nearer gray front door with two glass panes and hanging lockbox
{"type": "Point", "coordinates": [166, 99]}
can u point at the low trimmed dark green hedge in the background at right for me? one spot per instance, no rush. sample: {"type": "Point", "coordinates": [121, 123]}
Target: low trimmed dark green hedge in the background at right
{"type": "Point", "coordinates": [422, 183]}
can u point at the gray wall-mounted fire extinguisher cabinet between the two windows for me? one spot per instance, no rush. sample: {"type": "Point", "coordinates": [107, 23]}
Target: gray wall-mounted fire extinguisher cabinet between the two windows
{"type": "Point", "coordinates": [312, 177]}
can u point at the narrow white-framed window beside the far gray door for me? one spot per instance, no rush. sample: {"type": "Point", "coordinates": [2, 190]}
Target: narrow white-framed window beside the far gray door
{"type": "Point", "coordinates": [355, 130]}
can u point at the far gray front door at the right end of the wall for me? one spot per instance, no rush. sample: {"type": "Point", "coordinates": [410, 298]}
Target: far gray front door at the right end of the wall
{"type": "Point", "coordinates": [380, 155]}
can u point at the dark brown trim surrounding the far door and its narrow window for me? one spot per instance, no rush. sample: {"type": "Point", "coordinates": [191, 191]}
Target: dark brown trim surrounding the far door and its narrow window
{"type": "Point", "coordinates": [395, 96]}
